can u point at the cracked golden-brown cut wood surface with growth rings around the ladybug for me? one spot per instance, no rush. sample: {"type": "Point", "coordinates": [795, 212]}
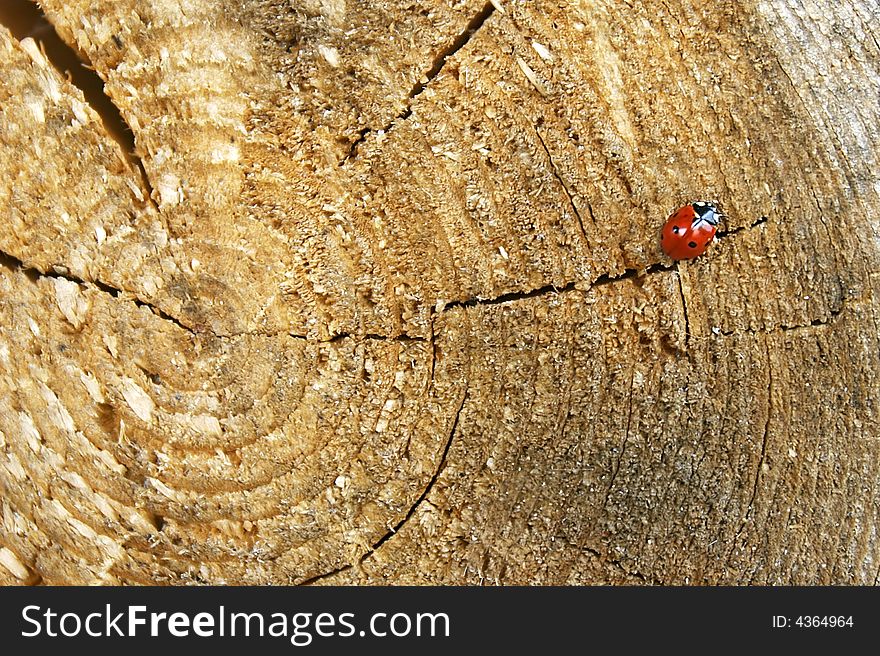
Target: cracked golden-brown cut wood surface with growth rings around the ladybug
{"type": "Point", "coordinates": [378, 295]}
